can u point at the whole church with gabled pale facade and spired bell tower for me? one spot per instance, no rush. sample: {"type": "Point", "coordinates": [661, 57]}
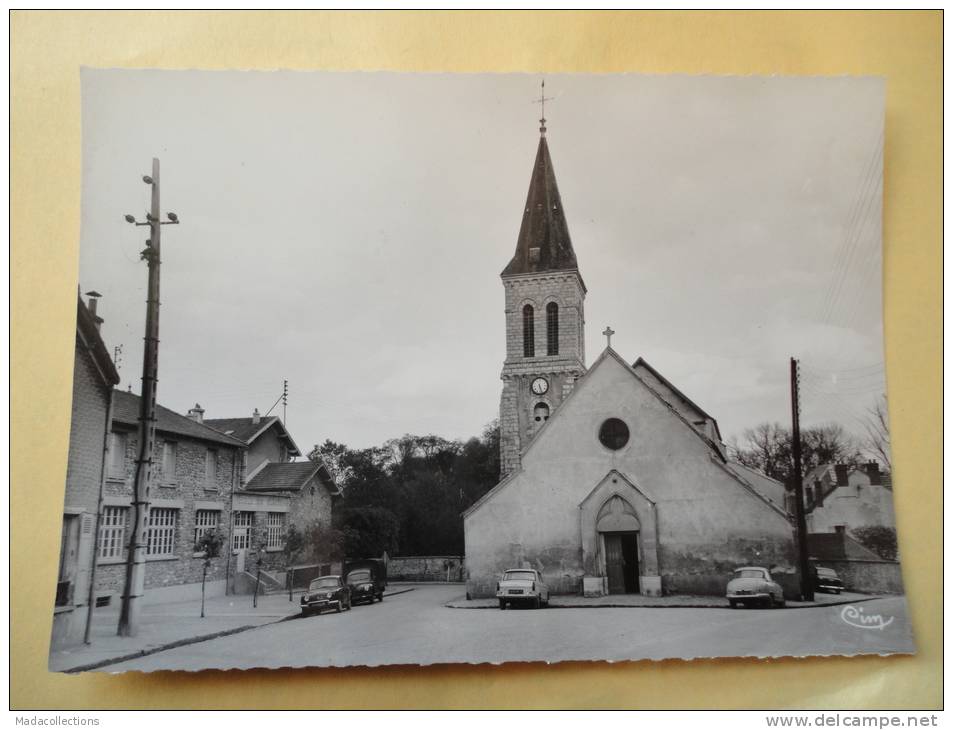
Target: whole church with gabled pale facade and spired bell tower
{"type": "Point", "coordinates": [612, 479]}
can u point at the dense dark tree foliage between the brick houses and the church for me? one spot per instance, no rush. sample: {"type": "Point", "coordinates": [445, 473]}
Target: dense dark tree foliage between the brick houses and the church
{"type": "Point", "coordinates": [407, 496]}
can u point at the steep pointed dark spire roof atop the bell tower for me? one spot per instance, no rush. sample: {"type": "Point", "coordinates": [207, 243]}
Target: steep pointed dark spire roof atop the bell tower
{"type": "Point", "coordinates": [543, 243]}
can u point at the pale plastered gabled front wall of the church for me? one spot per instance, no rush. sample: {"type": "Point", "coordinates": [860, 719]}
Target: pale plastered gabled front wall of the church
{"type": "Point", "coordinates": [708, 523]}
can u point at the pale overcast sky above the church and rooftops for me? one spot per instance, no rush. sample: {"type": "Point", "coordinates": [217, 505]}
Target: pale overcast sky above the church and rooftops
{"type": "Point", "coordinates": [346, 232]}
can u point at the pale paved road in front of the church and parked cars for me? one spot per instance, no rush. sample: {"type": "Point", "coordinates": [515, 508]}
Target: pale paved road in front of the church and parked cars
{"type": "Point", "coordinates": [416, 628]}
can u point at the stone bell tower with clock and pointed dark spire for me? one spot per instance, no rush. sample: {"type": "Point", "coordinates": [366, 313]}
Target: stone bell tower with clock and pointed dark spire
{"type": "Point", "coordinates": [544, 295]}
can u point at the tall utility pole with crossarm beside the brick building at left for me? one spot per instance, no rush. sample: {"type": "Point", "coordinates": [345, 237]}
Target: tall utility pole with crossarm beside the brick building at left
{"type": "Point", "coordinates": [136, 559]}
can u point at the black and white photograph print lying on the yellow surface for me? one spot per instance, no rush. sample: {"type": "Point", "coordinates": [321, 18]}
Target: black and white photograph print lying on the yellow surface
{"type": "Point", "coordinates": [378, 368]}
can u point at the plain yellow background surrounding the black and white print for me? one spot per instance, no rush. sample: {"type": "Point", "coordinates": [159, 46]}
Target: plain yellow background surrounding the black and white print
{"type": "Point", "coordinates": [47, 51]}
